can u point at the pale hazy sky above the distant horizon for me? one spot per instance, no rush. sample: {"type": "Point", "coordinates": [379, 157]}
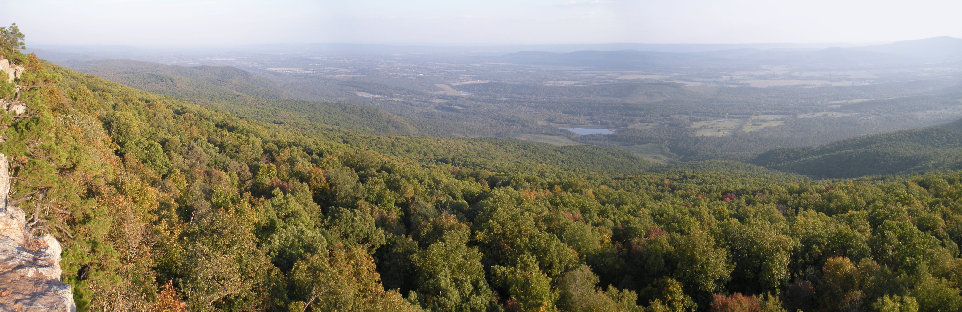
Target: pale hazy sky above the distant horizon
{"type": "Point", "coordinates": [220, 22]}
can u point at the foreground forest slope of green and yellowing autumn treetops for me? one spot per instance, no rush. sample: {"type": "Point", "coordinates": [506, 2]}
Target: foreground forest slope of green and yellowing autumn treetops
{"type": "Point", "coordinates": [163, 204]}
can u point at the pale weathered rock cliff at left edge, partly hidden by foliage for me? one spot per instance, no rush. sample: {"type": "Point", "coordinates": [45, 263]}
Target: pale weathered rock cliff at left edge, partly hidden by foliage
{"type": "Point", "coordinates": [29, 265]}
